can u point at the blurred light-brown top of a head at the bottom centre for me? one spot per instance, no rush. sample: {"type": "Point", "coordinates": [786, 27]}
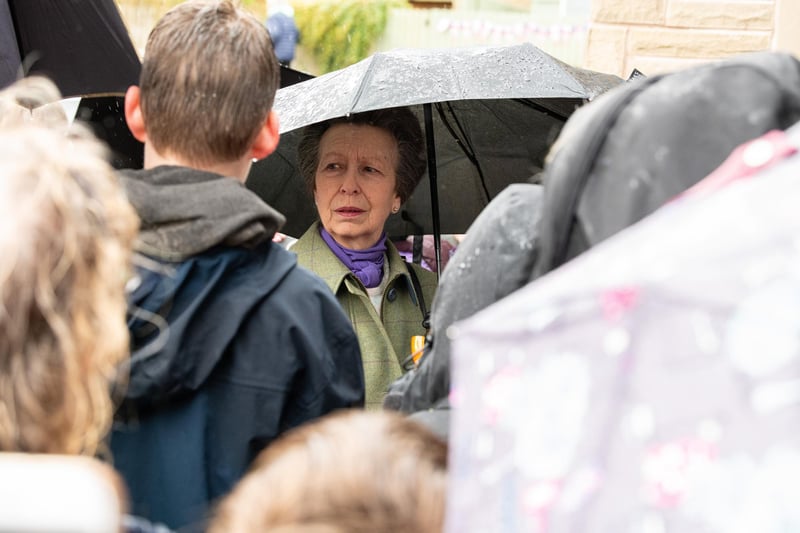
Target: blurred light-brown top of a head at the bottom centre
{"type": "Point", "coordinates": [351, 472]}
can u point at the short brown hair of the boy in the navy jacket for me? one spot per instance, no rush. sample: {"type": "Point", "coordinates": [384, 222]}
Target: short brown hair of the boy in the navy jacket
{"type": "Point", "coordinates": [208, 81]}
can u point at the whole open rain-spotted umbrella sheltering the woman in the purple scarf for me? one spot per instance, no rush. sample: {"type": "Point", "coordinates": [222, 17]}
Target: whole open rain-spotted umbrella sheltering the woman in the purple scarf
{"type": "Point", "coordinates": [490, 116]}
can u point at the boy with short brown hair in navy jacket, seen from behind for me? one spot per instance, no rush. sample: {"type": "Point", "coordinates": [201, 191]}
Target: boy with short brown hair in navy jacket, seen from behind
{"type": "Point", "coordinates": [232, 343]}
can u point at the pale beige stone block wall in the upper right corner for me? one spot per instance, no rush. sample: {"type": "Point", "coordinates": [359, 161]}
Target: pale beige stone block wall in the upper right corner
{"type": "Point", "coordinates": [665, 35]}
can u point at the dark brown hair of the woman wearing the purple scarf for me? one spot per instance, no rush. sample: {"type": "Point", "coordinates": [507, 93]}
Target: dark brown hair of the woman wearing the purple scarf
{"type": "Point", "coordinates": [400, 122]}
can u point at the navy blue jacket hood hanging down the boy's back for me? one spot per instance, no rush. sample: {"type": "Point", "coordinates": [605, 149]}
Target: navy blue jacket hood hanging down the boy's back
{"type": "Point", "coordinates": [184, 316]}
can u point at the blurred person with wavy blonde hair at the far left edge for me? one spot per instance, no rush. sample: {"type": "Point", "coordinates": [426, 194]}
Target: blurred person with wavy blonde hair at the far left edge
{"type": "Point", "coordinates": [65, 249]}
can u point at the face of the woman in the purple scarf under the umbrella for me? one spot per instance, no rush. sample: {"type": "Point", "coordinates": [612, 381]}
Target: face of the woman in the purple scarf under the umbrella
{"type": "Point", "coordinates": [354, 186]}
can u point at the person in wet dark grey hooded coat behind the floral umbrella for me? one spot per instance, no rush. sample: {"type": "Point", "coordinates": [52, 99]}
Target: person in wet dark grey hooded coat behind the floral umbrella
{"type": "Point", "coordinates": [617, 159]}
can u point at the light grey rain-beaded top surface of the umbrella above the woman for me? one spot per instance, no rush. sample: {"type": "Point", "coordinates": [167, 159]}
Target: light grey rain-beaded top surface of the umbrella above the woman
{"type": "Point", "coordinates": [417, 76]}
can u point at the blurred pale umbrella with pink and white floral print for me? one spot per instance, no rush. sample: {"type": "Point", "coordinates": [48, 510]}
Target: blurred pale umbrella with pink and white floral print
{"type": "Point", "coordinates": [651, 385]}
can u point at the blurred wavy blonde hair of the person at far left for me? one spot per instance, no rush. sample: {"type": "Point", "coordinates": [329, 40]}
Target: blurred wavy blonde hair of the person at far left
{"type": "Point", "coordinates": [65, 249]}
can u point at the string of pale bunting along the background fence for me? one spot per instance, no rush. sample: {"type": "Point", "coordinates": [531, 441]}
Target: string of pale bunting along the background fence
{"type": "Point", "coordinates": [483, 28]}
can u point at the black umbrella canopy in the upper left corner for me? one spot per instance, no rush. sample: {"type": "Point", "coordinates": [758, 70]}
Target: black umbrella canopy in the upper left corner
{"type": "Point", "coordinates": [82, 45]}
